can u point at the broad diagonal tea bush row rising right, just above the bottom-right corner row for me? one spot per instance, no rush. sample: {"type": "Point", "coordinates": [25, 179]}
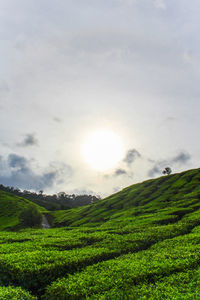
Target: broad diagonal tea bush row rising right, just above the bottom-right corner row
{"type": "Point", "coordinates": [128, 270]}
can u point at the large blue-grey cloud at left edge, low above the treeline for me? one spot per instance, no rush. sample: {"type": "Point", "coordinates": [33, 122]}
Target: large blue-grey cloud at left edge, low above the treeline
{"type": "Point", "coordinates": [17, 172]}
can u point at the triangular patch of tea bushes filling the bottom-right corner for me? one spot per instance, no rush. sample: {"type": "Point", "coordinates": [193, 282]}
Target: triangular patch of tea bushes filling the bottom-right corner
{"type": "Point", "coordinates": [180, 286]}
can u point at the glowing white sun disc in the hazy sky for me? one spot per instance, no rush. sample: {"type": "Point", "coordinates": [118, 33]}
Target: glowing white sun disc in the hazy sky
{"type": "Point", "coordinates": [102, 149]}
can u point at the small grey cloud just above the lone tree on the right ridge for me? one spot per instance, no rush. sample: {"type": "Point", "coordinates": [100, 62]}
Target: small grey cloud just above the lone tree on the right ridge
{"type": "Point", "coordinates": [180, 159]}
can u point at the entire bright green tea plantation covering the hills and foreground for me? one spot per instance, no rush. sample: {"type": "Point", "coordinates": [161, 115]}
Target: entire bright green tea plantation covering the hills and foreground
{"type": "Point", "coordinates": [140, 243]}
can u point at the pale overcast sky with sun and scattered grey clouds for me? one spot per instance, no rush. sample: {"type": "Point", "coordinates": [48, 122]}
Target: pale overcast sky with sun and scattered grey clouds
{"type": "Point", "coordinates": [70, 69]}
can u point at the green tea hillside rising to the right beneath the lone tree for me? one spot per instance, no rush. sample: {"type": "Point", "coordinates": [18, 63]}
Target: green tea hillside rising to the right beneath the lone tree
{"type": "Point", "coordinates": [165, 199]}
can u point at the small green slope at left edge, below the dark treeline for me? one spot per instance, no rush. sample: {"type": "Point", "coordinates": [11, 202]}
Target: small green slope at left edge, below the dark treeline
{"type": "Point", "coordinates": [10, 208]}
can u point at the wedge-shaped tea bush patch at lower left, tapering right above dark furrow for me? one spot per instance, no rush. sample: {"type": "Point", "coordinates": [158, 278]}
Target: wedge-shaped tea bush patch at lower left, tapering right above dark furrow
{"type": "Point", "coordinates": [34, 270]}
